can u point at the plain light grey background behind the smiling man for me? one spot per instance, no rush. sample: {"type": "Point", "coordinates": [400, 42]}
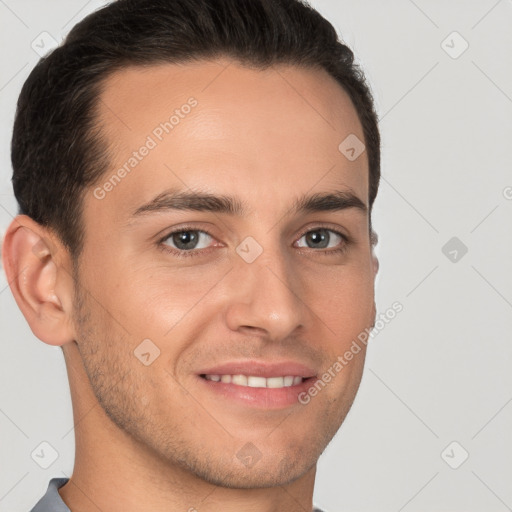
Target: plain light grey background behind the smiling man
{"type": "Point", "coordinates": [440, 371]}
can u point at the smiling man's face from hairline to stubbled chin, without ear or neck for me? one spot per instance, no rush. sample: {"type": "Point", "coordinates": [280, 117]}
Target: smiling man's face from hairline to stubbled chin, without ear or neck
{"type": "Point", "coordinates": [266, 292]}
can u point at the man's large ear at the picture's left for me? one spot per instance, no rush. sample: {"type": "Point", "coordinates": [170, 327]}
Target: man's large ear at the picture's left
{"type": "Point", "coordinates": [35, 265]}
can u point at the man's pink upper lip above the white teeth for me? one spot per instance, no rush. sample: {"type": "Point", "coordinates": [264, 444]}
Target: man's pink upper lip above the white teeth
{"type": "Point", "coordinates": [260, 369]}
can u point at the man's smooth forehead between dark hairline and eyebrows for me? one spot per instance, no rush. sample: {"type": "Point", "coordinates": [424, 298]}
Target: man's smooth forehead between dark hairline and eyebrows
{"type": "Point", "coordinates": [219, 125]}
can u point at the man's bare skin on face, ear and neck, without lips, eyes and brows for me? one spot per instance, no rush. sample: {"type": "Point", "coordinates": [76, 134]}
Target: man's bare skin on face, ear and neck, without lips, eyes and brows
{"type": "Point", "coordinates": [147, 437]}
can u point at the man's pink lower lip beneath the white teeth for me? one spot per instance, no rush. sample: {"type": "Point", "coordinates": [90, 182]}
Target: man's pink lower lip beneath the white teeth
{"type": "Point", "coordinates": [263, 398]}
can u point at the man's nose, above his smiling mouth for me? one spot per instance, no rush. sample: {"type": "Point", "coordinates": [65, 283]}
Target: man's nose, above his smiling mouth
{"type": "Point", "coordinates": [266, 298]}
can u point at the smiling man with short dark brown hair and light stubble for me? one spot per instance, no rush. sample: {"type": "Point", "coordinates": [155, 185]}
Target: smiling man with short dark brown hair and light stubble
{"type": "Point", "coordinates": [195, 182]}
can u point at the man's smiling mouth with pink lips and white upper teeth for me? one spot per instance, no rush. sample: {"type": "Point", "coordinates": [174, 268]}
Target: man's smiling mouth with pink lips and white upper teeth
{"type": "Point", "coordinates": [258, 385]}
